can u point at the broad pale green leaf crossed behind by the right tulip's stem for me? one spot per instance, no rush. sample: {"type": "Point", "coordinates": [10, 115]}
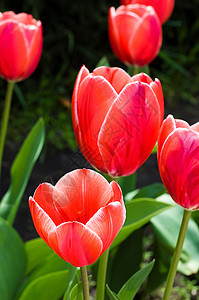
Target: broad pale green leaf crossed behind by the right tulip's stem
{"type": "Point", "coordinates": [166, 227]}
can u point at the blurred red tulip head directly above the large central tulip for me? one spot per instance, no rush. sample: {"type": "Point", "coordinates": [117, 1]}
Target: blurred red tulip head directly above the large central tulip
{"type": "Point", "coordinates": [135, 33]}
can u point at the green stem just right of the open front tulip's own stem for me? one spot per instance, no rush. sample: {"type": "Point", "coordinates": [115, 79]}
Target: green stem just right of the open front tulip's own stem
{"type": "Point", "coordinates": [101, 275]}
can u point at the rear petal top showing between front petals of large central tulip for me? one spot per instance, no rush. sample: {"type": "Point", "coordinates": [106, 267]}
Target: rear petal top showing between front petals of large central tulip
{"type": "Point", "coordinates": [117, 77]}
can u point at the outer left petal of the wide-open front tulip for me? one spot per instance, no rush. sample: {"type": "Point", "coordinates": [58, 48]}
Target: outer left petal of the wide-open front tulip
{"type": "Point", "coordinates": [41, 220]}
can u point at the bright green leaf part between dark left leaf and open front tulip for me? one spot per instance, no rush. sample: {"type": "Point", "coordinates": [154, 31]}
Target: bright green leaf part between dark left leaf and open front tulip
{"type": "Point", "coordinates": [36, 250]}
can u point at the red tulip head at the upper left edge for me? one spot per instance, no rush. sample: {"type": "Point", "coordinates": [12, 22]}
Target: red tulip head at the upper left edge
{"type": "Point", "coordinates": [20, 45]}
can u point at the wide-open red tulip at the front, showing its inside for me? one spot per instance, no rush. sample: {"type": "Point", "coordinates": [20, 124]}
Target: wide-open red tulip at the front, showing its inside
{"type": "Point", "coordinates": [79, 217]}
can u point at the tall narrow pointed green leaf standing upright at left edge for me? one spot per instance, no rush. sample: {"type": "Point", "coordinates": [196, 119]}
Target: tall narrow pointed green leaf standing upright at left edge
{"type": "Point", "coordinates": [21, 170]}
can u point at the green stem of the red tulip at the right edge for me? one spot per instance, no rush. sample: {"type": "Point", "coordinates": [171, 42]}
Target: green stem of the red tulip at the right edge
{"type": "Point", "coordinates": [176, 255]}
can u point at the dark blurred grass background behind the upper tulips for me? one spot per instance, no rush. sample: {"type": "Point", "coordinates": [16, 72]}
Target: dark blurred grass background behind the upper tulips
{"type": "Point", "coordinates": [75, 33]}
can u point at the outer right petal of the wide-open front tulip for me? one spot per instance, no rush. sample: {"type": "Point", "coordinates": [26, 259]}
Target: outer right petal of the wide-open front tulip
{"type": "Point", "coordinates": [107, 222]}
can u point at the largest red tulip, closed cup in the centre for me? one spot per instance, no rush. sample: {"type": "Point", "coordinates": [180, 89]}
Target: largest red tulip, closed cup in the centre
{"type": "Point", "coordinates": [116, 118]}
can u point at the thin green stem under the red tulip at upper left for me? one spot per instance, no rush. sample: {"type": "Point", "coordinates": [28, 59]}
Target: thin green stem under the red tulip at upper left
{"type": "Point", "coordinates": [5, 119]}
